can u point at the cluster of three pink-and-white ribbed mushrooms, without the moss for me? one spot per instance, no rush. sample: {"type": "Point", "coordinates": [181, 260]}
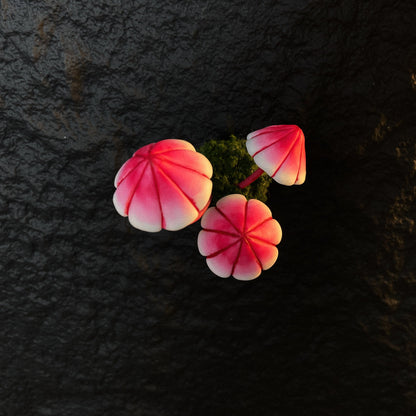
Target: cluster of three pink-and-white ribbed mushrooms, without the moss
{"type": "Point", "coordinates": [167, 185]}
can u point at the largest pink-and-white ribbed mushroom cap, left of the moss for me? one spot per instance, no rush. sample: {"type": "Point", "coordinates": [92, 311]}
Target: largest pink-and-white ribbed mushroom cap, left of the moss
{"type": "Point", "coordinates": [164, 185]}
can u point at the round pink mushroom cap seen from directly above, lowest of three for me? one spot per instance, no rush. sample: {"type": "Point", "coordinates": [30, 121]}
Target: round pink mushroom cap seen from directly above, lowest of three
{"type": "Point", "coordinates": [239, 237]}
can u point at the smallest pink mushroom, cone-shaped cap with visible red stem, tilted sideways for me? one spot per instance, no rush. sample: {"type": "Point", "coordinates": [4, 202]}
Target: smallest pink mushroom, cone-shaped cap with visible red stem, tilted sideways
{"type": "Point", "coordinates": [280, 152]}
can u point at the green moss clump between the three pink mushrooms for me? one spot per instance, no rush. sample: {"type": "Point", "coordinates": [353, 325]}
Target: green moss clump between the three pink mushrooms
{"type": "Point", "coordinates": [232, 164]}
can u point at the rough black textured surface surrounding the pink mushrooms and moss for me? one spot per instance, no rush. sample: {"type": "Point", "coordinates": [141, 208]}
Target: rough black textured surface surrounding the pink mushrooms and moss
{"type": "Point", "coordinates": [100, 319]}
